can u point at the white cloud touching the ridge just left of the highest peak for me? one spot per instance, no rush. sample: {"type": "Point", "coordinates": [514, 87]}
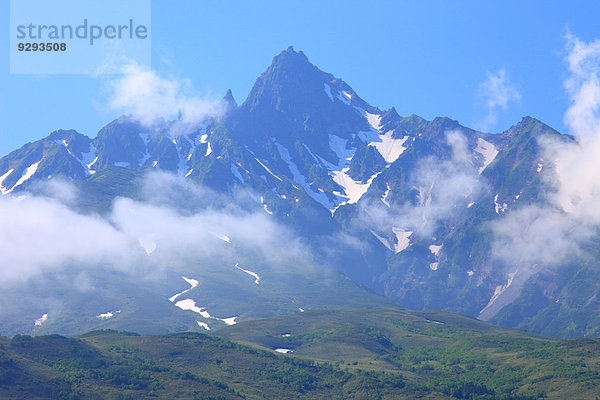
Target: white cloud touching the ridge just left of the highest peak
{"type": "Point", "coordinates": [152, 99]}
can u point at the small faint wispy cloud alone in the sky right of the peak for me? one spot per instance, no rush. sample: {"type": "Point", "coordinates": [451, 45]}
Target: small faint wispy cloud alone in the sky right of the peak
{"type": "Point", "coordinates": [497, 92]}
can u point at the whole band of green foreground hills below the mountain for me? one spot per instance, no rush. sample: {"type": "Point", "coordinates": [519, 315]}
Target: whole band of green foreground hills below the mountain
{"type": "Point", "coordinates": [388, 353]}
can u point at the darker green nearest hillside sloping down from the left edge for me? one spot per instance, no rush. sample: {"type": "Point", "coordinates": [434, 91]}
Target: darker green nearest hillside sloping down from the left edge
{"type": "Point", "coordinates": [111, 365]}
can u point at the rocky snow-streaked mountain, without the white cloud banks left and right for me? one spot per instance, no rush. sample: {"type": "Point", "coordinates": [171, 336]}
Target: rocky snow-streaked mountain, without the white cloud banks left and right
{"type": "Point", "coordinates": [400, 205]}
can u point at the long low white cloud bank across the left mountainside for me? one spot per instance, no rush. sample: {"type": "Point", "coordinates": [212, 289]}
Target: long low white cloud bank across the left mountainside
{"type": "Point", "coordinates": [40, 234]}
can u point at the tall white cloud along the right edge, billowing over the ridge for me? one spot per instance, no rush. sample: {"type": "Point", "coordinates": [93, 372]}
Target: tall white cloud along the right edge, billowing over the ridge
{"type": "Point", "coordinates": [551, 233]}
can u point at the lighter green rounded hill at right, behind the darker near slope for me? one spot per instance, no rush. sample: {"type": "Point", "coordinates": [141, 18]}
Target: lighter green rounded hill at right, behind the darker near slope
{"type": "Point", "coordinates": [435, 352]}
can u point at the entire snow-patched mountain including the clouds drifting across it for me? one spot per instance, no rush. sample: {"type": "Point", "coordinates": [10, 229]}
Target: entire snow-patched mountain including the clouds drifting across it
{"type": "Point", "coordinates": [303, 196]}
